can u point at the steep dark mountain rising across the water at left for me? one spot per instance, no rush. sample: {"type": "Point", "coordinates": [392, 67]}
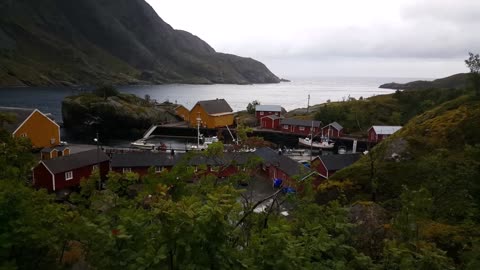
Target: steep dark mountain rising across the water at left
{"type": "Point", "coordinates": [57, 42]}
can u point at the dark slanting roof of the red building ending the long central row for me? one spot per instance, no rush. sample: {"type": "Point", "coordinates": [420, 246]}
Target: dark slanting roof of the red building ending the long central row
{"type": "Point", "coordinates": [284, 163]}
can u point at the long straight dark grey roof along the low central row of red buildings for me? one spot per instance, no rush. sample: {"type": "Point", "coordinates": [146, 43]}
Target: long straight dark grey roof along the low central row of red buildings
{"type": "Point", "coordinates": [149, 159]}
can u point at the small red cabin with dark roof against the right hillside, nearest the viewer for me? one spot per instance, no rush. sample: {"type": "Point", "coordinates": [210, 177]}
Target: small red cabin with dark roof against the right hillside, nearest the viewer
{"type": "Point", "coordinates": [327, 165]}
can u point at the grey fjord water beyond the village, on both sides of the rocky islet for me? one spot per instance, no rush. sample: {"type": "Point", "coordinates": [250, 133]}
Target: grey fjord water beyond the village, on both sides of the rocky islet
{"type": "Point", "coordinates": [290, 95]}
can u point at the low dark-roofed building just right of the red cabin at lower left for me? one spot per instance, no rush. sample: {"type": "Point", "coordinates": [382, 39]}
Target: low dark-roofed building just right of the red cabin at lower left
{"type": "Point", "coordinates": [141, 162]}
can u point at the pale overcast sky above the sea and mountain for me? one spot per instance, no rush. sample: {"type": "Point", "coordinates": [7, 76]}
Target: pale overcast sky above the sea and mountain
{"type": "Point", "coordinates": [379, 38]}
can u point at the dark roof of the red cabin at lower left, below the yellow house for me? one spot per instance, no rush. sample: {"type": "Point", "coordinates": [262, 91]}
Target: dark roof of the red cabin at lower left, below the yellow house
{"type": "Point", "coordinates": [75, 161]}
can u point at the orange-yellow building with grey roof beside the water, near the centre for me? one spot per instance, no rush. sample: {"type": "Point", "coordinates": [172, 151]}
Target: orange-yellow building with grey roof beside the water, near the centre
{"type": "Point", "coordinates": [212, 113]}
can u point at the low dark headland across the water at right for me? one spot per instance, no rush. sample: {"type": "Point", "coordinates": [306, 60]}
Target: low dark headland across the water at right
{"type": "Point", "coordinates": [457, 81]}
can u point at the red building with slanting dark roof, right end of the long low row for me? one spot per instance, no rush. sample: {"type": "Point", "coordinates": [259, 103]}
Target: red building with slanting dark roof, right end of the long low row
{"type": "Point", "coordinates": [277, 166]}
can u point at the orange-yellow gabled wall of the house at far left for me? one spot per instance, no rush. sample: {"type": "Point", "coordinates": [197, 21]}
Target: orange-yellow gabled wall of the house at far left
{"type": "Point", "coordinates": [41, 130]}
